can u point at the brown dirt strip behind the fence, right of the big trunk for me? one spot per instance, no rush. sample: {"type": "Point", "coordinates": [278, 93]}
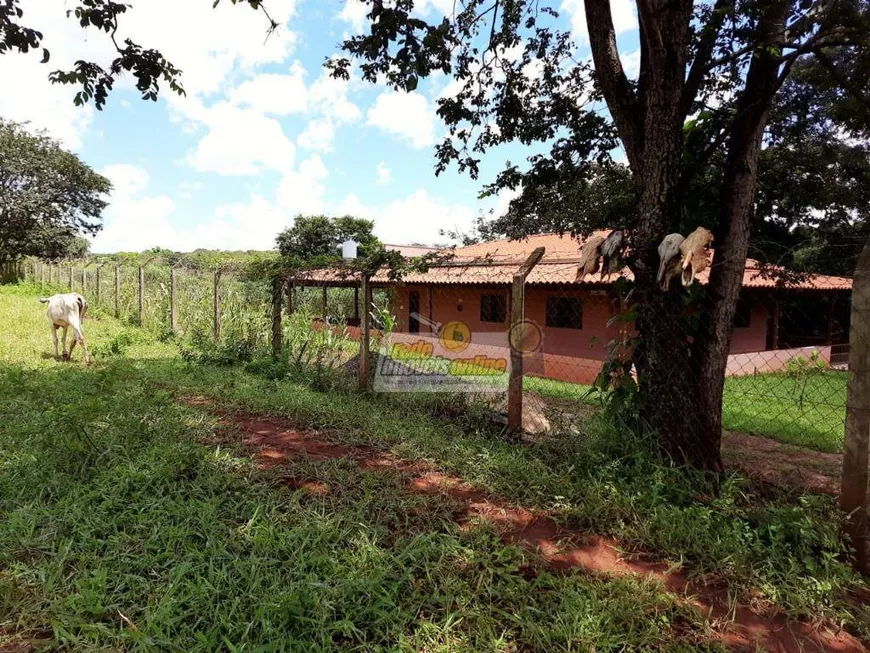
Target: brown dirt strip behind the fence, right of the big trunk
{"type": "Point", "coordinates": [781, 464]}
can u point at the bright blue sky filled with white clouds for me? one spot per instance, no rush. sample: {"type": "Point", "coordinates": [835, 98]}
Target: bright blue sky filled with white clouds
{"type": "Point", "coordinates": [263, 134]}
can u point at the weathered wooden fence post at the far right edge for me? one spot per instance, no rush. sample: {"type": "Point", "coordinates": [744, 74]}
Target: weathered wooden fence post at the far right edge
{"type": "Point", "coordinates": [854, 490]}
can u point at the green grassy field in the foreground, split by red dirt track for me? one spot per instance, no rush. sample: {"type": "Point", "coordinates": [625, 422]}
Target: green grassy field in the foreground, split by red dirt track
{"type": "Point", "coordinates": [117, 507]}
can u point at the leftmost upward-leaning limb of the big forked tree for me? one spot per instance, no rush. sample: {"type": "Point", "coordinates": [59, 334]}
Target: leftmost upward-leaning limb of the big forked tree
{"type": "Point", "coordinates": [617, 91]}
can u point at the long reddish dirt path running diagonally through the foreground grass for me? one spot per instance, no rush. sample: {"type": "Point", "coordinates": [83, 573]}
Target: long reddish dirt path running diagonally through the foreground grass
{"type": "Point", "coordinates": [275, 442]}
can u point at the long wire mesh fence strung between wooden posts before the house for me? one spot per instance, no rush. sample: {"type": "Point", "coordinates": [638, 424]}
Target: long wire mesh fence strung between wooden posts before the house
{"type": "Point", "coordinates": [466, 325]}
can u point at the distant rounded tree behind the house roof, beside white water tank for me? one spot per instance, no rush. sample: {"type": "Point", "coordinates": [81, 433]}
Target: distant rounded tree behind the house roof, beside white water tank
{"type": "Point", "coordinates": [320, 236]}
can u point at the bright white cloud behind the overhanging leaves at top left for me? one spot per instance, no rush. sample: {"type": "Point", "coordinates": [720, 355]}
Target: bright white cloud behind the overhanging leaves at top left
{"type": "Point", "coordinates": [207, 44]}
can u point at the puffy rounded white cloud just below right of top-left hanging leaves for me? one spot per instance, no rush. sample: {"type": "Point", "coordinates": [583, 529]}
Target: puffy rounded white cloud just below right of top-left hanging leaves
{"type": "Point", "coordinates": [241, 142]}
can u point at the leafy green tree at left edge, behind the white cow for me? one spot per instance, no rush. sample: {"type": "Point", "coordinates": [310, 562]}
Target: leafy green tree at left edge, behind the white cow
{"type": "Point", "coordinates": [48, 196]}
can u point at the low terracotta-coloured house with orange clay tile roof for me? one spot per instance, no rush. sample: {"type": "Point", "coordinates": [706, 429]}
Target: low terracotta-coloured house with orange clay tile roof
{"type": "Point", "coordinates": [574, 320]}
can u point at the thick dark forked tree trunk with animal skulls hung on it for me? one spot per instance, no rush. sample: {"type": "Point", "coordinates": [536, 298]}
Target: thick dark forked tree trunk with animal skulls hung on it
{"type": "Point", "coordinates": [682, 374]}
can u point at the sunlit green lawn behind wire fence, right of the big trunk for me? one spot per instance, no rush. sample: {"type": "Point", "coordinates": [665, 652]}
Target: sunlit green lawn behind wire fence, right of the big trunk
{"type": "Point", "coordinates": [810, 412]}
